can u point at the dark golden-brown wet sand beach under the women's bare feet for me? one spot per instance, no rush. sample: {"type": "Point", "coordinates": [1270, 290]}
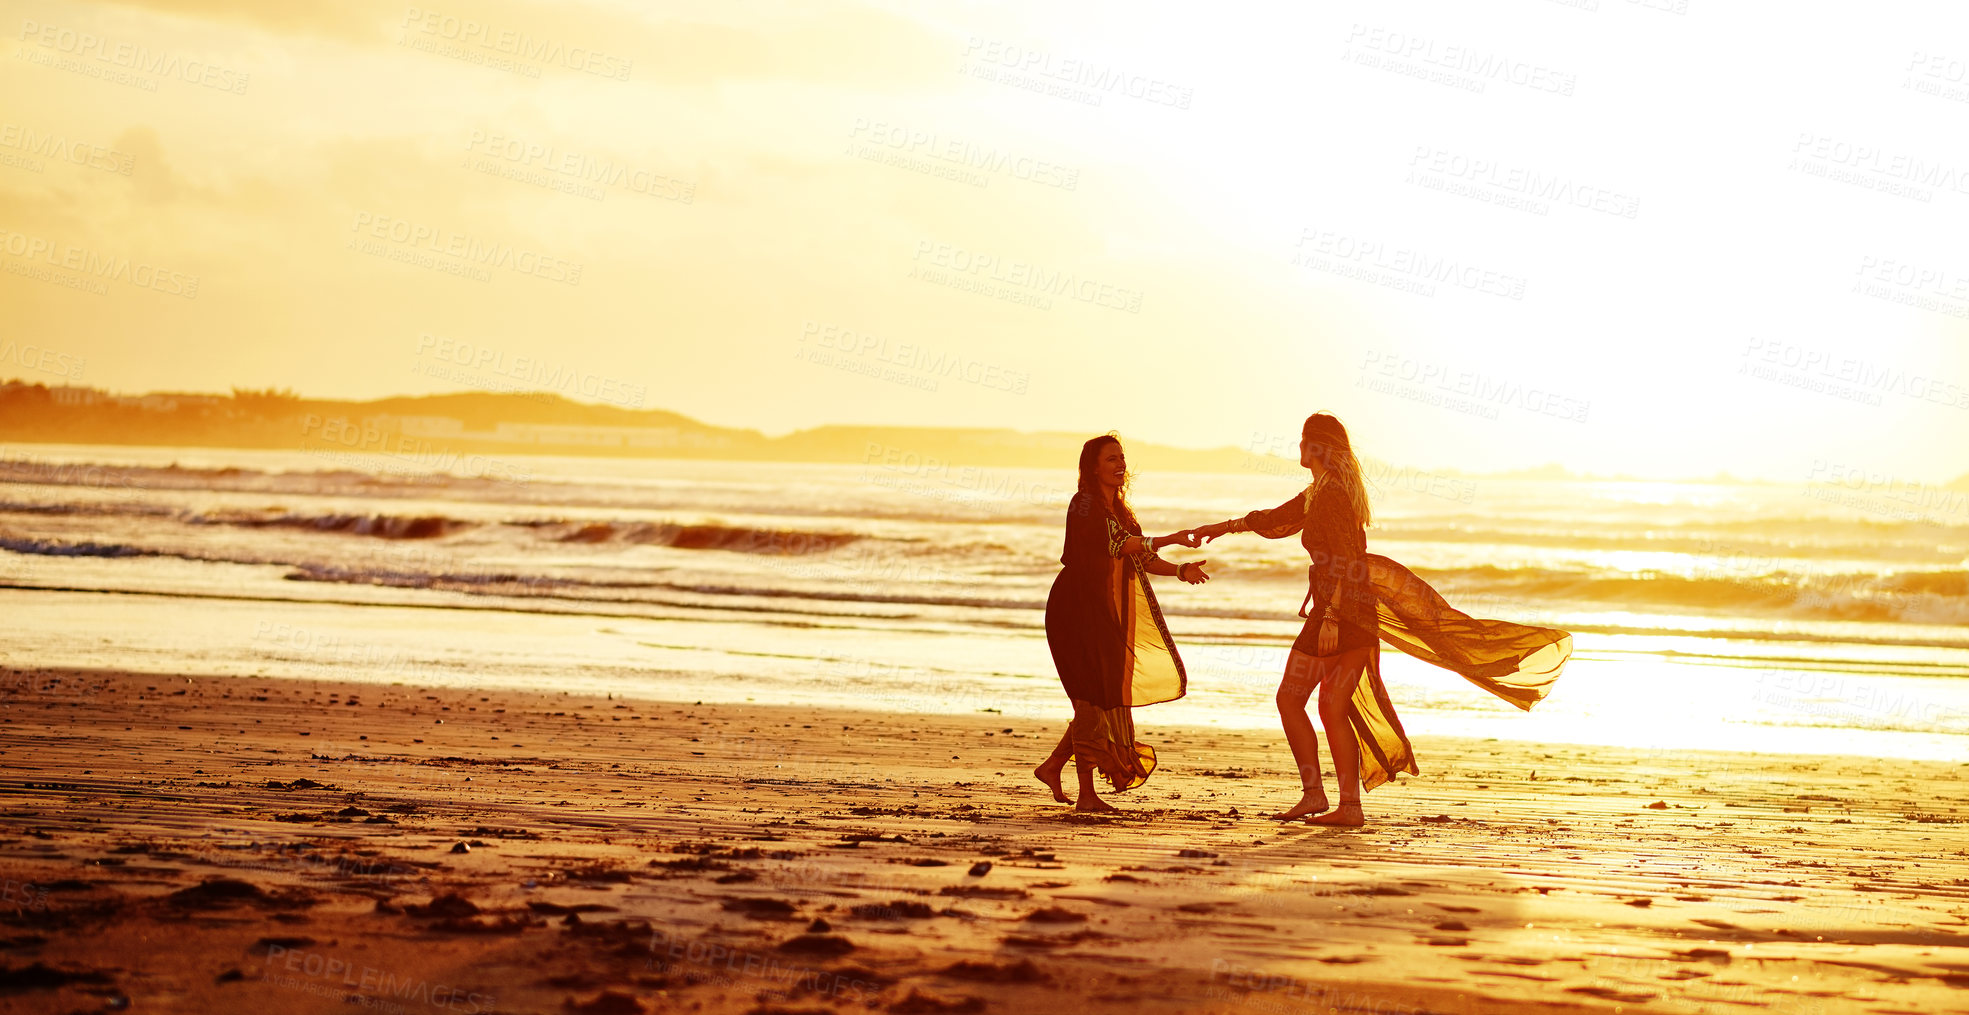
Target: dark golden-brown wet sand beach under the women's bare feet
{"type": "Point", "coordinates": [235, 845]}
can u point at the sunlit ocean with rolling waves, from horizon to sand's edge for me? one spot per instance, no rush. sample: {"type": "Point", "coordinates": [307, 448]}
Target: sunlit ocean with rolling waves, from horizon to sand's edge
{"type": "Point", "coordinates": [1809, 618]}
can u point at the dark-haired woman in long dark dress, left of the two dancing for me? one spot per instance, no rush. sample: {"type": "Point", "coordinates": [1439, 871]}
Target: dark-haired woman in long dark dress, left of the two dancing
{"type": "Point", "coordinates": [1106, 632]}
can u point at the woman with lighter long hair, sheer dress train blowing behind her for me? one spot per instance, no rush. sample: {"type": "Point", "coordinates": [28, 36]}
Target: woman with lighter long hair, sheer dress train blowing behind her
{"type": "Point", "coordinates": [1356, 598]}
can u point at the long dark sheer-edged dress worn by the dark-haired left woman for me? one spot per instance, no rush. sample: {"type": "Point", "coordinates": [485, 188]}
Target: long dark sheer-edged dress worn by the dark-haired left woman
{"type": "Point", "coordinates": [1110, 642]}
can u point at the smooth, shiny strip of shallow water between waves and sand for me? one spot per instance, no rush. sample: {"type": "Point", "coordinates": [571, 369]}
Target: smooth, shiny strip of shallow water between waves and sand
{"type": "Point", "coordinates": [1616, 697]}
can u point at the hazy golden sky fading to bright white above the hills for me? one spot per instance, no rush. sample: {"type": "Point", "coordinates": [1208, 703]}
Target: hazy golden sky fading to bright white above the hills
{"type": "Point", "coordinates": [1665, 237]}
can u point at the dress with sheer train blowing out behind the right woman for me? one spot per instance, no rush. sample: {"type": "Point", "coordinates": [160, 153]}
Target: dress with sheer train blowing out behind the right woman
{"type": "Point", "coordinates": [1375, 598]}
